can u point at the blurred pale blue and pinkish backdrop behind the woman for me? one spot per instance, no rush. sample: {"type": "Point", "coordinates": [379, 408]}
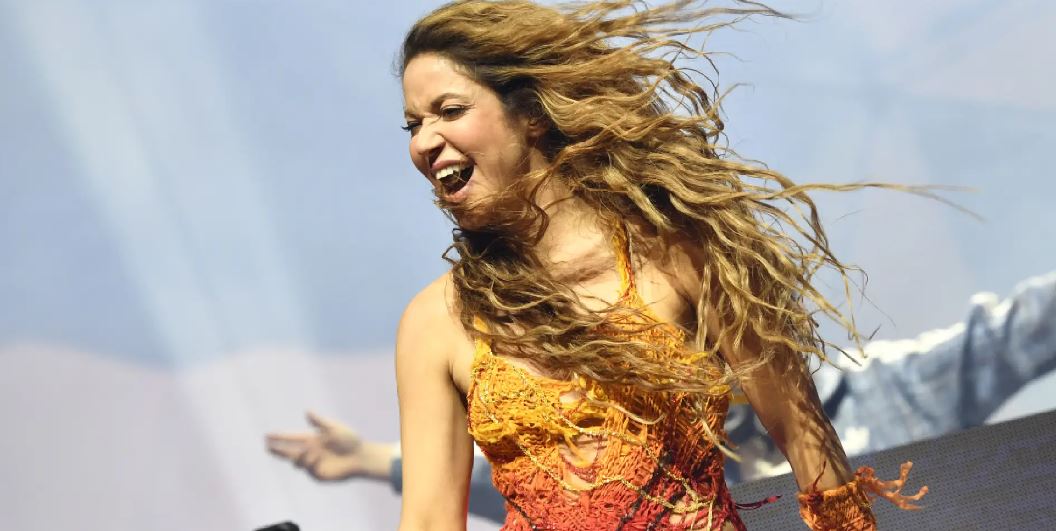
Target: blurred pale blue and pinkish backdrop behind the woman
{"type": "Point", "coordinates": [209, 224]}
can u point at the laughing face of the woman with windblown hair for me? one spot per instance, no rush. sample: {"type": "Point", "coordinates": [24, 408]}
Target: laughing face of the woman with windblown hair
{"type": "Point", "coordinates": [463, 140]}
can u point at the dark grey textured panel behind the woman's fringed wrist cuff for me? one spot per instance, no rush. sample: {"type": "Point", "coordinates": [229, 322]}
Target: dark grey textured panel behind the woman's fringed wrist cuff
{"type": "Point", "coordinates": [998, 477]}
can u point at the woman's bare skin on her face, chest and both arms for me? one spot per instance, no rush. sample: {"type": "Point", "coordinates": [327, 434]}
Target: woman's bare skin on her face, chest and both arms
{"type": "Point", "coordinates": [451, 118]}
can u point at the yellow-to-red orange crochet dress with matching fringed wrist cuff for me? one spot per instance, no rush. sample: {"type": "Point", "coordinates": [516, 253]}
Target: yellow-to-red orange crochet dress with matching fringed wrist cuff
{"type": "Point", "coordinates": [579, 457]}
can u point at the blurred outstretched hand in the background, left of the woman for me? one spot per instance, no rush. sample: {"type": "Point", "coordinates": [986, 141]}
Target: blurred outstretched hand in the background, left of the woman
{"type": "Point", "coordinates": [333, 452]}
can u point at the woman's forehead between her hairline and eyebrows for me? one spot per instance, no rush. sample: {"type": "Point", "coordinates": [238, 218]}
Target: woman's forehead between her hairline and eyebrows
{"type": "Point", "coordinates": [429, 77]}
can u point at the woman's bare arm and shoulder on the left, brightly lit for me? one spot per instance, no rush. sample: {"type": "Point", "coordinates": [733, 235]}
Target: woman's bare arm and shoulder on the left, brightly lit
{"type": "Point", "coordinates": [437, 447]}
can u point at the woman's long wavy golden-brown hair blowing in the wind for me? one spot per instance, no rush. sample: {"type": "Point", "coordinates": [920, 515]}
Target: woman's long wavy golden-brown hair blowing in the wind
{"type": "Point", "coordinates": [636, 137]}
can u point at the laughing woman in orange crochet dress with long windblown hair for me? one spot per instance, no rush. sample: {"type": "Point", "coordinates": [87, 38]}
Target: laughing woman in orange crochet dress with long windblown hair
{"type": "Point", "coordinates": [617, 275]}
